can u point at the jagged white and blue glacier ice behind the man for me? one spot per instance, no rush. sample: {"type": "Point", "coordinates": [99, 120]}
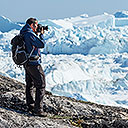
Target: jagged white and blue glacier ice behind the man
{"type": "Point", "coordinates": [85, 57]}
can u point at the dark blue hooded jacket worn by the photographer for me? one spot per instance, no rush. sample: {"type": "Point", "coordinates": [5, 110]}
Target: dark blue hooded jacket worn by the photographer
{"type": "Point", "coordinates": [31, 40]}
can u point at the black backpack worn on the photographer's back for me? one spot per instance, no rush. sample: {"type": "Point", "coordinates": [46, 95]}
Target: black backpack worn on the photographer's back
{"type": "Point", "coordinates": [19, 55]}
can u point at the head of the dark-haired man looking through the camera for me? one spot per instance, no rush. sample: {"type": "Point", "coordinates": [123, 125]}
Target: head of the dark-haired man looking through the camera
{"type": "Point", "coordinates": [33, 23]}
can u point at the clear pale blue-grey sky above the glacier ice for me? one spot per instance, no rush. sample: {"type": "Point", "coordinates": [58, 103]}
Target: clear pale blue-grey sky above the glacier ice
{"type": "Point", "coordinates": [20, 10]}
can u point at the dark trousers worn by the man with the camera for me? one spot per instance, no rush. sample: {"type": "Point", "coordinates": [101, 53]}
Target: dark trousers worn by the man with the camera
{"type": "Point", "coordinates": [35, 78]}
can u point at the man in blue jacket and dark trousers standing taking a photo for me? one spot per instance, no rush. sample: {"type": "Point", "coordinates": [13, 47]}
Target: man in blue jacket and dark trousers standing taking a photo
{"type": "Point", "coordinates": [34, 74]}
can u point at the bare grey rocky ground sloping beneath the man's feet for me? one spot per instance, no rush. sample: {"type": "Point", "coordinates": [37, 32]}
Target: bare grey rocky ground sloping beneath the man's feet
{"type": "Point", "coordinates": [61, 112]}
